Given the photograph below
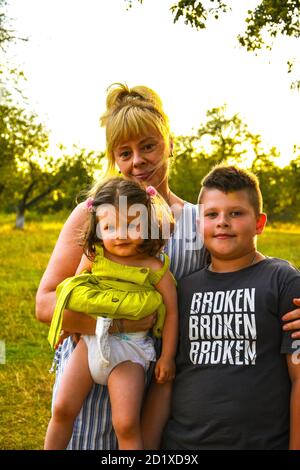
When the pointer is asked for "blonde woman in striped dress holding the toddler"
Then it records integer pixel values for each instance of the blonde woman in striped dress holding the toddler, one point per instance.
(139, 145)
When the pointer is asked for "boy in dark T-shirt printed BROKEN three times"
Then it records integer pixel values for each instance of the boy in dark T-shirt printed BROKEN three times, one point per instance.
(238, 381)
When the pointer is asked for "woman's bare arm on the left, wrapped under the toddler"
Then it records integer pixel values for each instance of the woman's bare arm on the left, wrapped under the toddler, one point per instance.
(63, 263)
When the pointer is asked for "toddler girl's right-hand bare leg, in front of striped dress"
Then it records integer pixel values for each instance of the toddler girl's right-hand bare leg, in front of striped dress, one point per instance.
(126, 385)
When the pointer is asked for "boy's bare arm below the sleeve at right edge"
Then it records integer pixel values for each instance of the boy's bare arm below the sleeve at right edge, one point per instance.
(294, 372)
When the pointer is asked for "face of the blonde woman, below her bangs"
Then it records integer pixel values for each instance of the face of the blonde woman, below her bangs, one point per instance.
(144, 160)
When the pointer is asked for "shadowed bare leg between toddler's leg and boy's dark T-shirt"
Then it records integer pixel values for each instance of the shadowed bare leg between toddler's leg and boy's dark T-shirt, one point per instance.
(156, 411)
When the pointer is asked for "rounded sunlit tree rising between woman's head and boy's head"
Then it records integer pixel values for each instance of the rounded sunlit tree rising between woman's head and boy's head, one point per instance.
(221, 138)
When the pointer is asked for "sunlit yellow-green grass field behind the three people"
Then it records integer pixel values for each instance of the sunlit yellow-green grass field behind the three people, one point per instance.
(25, 383)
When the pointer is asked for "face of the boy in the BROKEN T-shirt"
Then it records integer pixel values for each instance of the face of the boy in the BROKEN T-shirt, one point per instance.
(230, 224)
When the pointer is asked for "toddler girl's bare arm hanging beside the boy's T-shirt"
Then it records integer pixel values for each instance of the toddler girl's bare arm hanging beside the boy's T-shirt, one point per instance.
(166, 287)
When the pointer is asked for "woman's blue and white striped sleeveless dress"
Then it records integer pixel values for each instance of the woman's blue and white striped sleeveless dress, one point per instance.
(93, 426)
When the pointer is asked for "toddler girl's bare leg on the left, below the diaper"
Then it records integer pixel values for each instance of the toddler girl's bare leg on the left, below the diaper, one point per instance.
(75, 384)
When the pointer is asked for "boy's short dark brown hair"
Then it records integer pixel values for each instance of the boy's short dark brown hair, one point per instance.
(230, 179)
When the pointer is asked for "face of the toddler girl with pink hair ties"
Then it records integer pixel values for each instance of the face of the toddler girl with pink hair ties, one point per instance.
(120, 233)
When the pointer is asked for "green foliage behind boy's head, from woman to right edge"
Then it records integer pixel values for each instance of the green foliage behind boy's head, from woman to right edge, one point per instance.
(228, 140)
